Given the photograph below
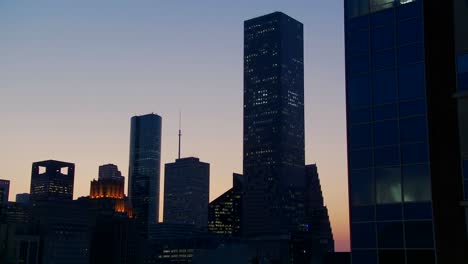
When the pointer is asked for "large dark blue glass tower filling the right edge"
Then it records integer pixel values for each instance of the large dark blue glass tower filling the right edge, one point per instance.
(404, 162)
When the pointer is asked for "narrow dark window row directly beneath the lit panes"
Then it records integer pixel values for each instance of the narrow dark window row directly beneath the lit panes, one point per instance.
(392, 212)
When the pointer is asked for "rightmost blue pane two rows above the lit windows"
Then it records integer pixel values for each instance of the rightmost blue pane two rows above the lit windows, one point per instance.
(413, 130)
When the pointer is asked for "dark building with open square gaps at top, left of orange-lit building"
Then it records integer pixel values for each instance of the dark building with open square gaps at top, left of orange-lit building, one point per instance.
(52, 180)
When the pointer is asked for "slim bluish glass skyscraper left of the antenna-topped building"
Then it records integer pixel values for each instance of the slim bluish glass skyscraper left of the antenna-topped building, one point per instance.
(144, 169)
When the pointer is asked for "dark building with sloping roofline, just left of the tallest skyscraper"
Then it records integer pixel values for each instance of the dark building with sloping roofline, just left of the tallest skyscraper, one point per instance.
(225, 212)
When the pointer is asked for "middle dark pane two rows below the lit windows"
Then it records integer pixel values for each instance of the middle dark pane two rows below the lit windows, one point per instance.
(390, 235)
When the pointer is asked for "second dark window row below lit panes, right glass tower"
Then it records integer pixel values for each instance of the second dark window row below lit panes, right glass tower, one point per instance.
(393, 235)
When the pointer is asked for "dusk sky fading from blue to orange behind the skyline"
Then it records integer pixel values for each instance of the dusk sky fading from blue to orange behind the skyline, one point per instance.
(73, 73)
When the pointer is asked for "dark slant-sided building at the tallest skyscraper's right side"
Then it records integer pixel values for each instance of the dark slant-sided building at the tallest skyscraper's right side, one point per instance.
(316, 212)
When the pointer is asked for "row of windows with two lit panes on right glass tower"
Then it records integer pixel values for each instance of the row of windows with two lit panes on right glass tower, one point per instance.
(409, 183)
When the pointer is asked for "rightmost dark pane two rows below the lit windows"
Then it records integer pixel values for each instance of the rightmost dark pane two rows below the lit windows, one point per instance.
(419, 234)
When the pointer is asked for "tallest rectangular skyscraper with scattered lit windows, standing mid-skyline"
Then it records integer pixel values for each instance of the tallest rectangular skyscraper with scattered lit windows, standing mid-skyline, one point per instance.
(273, 124)
